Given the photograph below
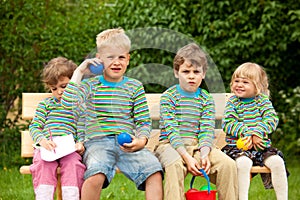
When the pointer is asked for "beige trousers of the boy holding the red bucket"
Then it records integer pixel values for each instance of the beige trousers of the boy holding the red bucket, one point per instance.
(223, 172)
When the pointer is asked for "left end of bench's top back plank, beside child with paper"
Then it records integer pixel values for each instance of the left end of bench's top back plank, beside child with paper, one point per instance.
(30, 102)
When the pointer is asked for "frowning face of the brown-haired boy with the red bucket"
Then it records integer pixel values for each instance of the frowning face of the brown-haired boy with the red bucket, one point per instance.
(190, 77)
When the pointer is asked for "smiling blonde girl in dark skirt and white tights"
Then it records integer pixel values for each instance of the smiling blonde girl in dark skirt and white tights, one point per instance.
(250, 115)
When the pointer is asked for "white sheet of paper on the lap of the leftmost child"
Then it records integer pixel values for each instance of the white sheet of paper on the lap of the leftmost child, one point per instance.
(65, 145)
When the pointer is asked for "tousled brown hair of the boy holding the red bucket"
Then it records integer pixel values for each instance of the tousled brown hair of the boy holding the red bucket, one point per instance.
(193, 54)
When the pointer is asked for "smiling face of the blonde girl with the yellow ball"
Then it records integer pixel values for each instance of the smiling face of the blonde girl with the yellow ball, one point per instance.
(243, 88)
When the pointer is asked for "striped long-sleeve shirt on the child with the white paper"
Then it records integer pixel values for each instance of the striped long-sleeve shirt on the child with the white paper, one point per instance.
(50, 116)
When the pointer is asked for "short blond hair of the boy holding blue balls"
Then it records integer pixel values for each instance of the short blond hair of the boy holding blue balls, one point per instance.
(113, 37)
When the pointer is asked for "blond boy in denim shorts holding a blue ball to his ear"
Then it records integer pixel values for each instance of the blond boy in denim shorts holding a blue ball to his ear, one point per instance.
(114, 104)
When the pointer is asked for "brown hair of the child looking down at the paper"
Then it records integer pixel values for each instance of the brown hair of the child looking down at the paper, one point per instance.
(57, 68)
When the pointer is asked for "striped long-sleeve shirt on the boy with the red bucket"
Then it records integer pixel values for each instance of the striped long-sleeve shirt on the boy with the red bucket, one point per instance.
(187, 115)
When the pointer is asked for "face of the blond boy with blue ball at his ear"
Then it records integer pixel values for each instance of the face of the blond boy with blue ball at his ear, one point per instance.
(115, 61)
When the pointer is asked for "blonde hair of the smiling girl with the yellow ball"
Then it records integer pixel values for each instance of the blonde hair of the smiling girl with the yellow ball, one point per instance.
(254, 73)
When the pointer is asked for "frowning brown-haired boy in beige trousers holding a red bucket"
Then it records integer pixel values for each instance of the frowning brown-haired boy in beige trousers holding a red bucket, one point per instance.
(187, 129)
